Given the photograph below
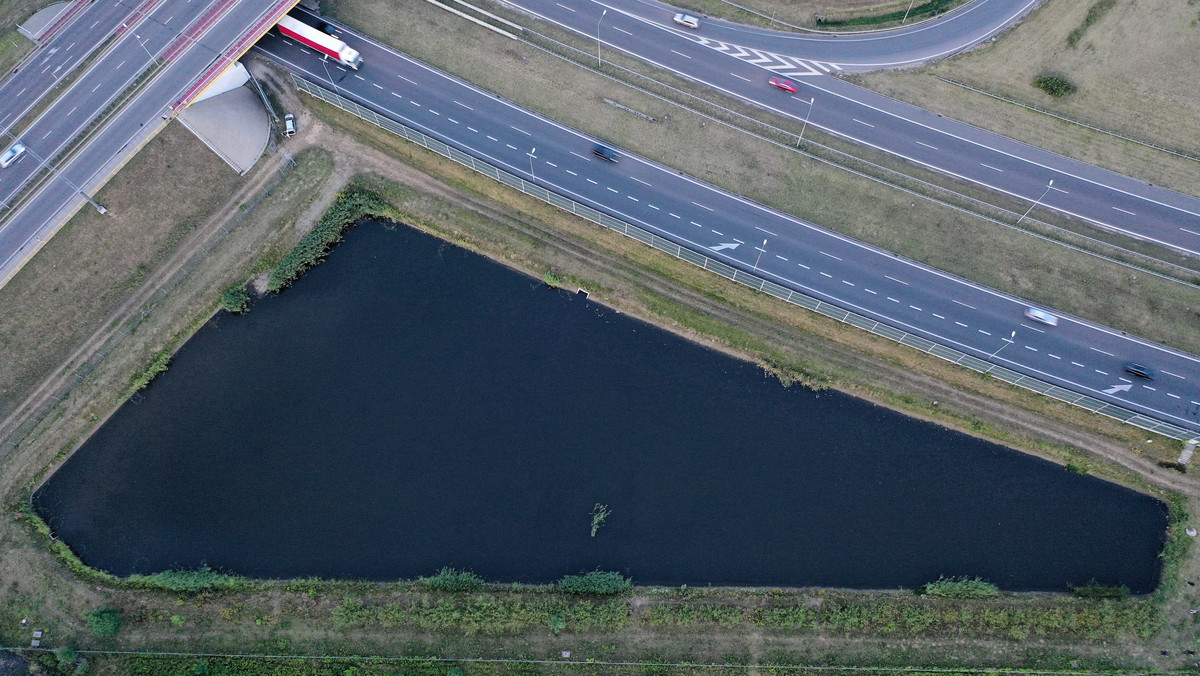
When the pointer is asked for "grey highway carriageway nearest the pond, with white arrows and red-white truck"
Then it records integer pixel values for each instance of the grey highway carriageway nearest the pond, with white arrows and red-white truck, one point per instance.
(956, 313)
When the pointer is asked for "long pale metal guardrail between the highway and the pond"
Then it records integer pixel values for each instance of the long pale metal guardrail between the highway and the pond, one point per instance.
(753, 282)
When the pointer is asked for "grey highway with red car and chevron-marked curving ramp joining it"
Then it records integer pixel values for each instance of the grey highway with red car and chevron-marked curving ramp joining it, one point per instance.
(1105, 199)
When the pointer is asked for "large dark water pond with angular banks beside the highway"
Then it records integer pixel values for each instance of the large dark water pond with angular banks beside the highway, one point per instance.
(410, 406)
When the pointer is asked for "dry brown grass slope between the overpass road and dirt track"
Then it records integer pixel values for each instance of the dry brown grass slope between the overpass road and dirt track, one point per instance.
(69, 290)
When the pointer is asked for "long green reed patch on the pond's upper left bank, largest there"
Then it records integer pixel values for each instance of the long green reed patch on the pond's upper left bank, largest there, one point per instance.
(352, 205)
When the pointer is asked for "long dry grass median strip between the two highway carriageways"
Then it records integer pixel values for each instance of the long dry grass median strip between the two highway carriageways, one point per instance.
(947, 240)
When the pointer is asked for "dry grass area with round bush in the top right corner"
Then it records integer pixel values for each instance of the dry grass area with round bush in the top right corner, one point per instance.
(1136, 69)
